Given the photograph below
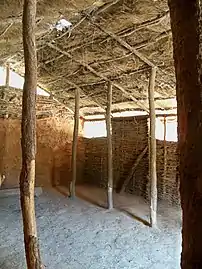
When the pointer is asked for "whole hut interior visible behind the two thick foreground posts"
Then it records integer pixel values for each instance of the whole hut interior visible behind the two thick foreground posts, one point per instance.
(106, 120)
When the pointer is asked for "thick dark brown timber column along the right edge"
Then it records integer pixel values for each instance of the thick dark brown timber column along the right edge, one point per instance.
(187, 43)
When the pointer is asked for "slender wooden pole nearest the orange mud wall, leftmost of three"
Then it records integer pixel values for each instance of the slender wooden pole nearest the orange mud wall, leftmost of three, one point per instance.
(75, 142)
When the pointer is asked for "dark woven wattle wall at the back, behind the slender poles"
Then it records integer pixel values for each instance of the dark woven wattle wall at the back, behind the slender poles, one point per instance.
(130, 137)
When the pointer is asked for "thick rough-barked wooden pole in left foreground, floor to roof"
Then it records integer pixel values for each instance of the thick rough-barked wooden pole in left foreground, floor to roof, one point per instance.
(28, 141)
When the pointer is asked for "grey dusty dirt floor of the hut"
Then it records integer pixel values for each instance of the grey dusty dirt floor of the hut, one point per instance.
(75, 234)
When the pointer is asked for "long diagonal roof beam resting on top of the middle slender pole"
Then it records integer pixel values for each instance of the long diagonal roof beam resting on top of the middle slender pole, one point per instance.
(92, 70)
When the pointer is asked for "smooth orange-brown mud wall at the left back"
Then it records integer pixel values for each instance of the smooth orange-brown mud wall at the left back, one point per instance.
(53, 159)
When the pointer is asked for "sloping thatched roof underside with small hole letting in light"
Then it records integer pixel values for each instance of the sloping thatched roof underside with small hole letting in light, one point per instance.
(110, 41)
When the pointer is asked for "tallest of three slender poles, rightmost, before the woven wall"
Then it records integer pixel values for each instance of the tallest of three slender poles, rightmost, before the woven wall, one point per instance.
(152, 148)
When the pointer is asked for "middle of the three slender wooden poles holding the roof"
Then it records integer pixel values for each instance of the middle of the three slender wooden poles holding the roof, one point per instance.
(109, 147)
